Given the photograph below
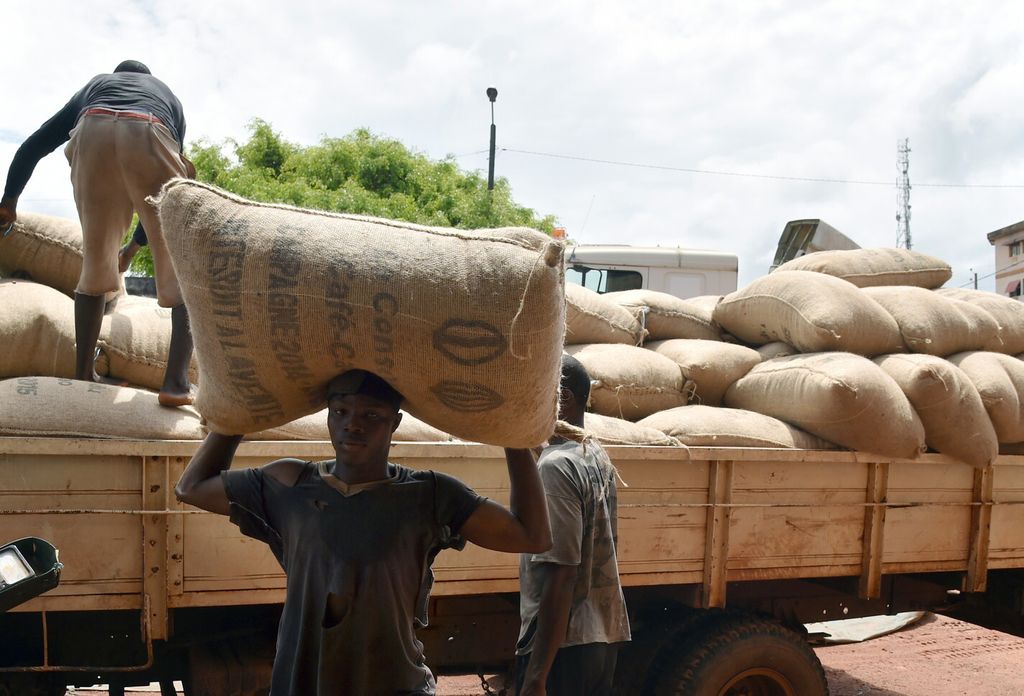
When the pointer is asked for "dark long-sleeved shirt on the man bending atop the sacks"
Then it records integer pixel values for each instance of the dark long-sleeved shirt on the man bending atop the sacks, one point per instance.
(120, 92)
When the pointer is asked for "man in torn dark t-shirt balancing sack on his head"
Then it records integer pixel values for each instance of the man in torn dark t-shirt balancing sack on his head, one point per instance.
(357, 537)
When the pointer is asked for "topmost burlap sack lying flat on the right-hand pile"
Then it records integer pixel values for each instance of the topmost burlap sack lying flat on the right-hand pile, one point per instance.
(867, 268)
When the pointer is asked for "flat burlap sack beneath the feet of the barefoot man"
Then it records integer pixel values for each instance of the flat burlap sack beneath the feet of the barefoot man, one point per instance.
(50, 407)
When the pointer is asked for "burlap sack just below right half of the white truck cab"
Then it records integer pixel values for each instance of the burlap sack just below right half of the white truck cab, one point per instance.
(666, 317)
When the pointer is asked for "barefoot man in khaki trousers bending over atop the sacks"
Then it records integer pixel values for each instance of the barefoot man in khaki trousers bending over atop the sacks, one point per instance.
(126, 133)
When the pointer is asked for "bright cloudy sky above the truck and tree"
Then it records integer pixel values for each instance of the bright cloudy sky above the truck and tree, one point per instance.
(761, 90)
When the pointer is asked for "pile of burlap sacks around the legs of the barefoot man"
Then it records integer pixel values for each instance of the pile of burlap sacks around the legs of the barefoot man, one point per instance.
(40, 263)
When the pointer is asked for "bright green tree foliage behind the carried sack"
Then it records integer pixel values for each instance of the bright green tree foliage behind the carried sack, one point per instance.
(360, 173)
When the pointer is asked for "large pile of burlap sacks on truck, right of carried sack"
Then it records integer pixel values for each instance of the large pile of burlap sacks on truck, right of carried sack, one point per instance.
(857, 350)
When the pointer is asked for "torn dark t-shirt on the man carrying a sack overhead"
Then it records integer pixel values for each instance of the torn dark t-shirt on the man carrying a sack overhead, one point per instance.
(368, 554)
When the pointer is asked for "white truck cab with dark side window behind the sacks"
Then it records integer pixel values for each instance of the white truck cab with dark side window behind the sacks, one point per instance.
(684, 273)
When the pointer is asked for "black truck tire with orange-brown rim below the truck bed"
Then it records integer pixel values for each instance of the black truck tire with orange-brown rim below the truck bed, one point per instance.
(742, 657)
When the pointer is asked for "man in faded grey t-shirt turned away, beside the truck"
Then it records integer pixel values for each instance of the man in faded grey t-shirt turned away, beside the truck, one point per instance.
(572, 604)
